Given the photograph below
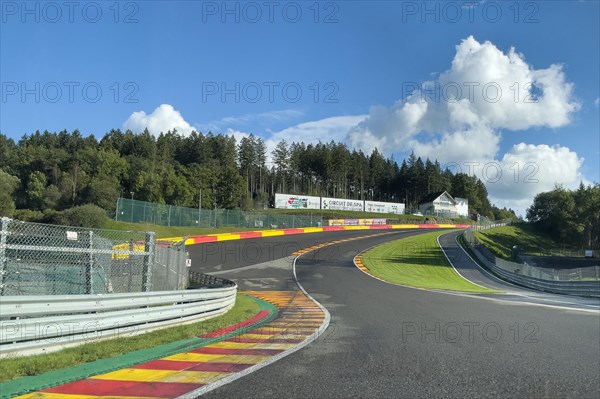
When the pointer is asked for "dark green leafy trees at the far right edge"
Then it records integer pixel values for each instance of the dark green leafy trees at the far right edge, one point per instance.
(569, 216)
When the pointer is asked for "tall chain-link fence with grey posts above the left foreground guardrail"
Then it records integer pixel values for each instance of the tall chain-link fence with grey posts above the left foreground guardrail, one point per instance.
(40, 259)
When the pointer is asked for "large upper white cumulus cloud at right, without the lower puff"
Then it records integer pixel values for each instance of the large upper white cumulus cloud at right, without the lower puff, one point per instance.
(484, 91)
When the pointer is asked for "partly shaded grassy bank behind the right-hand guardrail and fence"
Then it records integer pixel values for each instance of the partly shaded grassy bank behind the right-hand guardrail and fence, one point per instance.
(530, 241)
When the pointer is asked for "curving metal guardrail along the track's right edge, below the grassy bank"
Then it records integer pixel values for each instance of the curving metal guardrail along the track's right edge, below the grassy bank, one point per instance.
(527, 275)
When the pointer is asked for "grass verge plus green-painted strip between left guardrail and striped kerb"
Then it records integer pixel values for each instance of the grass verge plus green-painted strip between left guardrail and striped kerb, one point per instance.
(33, 373)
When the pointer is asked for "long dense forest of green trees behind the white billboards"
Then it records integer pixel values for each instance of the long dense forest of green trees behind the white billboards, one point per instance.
(47, 171)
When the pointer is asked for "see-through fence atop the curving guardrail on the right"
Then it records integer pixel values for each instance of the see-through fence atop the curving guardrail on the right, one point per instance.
(524, 269)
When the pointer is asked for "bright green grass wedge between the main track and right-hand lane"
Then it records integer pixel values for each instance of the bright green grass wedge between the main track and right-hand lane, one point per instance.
(417, 262)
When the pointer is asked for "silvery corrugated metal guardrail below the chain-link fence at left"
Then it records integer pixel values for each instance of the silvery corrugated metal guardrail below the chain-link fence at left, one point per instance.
(41, 324)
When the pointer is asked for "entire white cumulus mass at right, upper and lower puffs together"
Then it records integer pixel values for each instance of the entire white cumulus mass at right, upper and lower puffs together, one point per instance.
(462, 116)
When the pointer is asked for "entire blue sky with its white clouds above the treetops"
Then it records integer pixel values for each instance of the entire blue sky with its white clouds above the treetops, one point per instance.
(357, 64)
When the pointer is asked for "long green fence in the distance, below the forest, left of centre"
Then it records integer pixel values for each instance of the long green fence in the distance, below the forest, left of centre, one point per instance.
(135, 211)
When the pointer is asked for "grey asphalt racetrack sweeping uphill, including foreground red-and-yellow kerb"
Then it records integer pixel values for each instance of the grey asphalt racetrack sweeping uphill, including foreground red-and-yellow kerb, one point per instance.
(343, 330)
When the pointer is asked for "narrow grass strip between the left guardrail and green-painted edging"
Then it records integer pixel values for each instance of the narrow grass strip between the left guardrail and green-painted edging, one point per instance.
(12, 368)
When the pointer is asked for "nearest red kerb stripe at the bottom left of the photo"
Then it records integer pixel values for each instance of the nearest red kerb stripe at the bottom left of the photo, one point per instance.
(124, 388)
